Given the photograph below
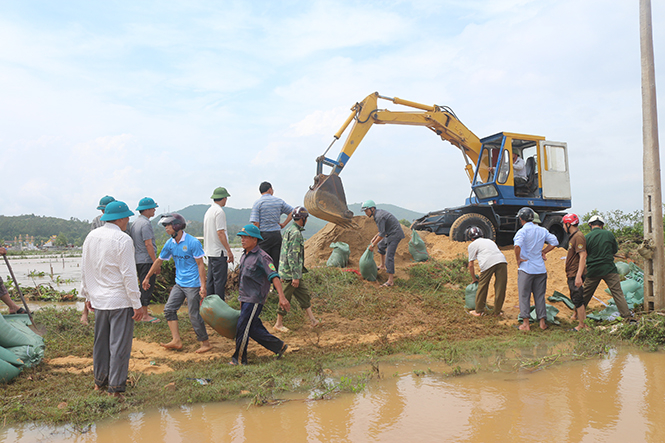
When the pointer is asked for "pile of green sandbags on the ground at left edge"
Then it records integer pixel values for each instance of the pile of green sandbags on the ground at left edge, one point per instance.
(20, 347)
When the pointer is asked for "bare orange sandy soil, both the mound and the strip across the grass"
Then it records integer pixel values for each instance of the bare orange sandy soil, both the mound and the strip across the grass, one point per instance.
(337, 332)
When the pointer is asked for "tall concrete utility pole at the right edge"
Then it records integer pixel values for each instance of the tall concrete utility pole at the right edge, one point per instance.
(654, 272)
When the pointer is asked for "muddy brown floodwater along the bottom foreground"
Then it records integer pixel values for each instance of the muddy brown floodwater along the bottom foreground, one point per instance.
(614, 399)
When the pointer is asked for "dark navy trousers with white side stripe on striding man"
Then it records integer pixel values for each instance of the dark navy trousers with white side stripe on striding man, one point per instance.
(251, 326)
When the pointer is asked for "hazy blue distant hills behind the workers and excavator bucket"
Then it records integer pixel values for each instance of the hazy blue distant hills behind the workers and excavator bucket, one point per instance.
(237, 218)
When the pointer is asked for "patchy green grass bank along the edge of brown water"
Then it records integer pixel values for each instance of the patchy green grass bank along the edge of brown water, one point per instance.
(434, 292)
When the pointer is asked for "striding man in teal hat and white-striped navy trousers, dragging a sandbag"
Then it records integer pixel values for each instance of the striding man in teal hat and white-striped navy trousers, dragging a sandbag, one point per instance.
(256, 273)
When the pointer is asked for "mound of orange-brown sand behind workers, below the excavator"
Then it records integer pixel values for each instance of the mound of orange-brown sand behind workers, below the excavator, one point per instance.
(439, 247)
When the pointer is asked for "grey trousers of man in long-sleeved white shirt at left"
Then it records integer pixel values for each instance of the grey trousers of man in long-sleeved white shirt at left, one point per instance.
(112, 348)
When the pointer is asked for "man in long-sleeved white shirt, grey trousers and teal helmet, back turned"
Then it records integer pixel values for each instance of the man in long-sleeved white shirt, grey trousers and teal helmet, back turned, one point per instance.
(110, 287)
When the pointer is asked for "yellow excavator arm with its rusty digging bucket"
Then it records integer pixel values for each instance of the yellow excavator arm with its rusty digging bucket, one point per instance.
(326, 199)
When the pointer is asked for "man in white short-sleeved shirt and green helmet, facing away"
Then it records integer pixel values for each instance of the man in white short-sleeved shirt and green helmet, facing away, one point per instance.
(216, 243)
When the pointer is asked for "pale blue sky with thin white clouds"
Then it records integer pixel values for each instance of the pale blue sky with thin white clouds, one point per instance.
(173, 99)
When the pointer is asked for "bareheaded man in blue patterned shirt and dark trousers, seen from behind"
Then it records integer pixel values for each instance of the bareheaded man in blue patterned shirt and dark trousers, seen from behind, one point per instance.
(265, 215)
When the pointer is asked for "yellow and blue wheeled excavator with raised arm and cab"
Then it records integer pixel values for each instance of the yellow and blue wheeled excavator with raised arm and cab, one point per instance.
(507, 171)
